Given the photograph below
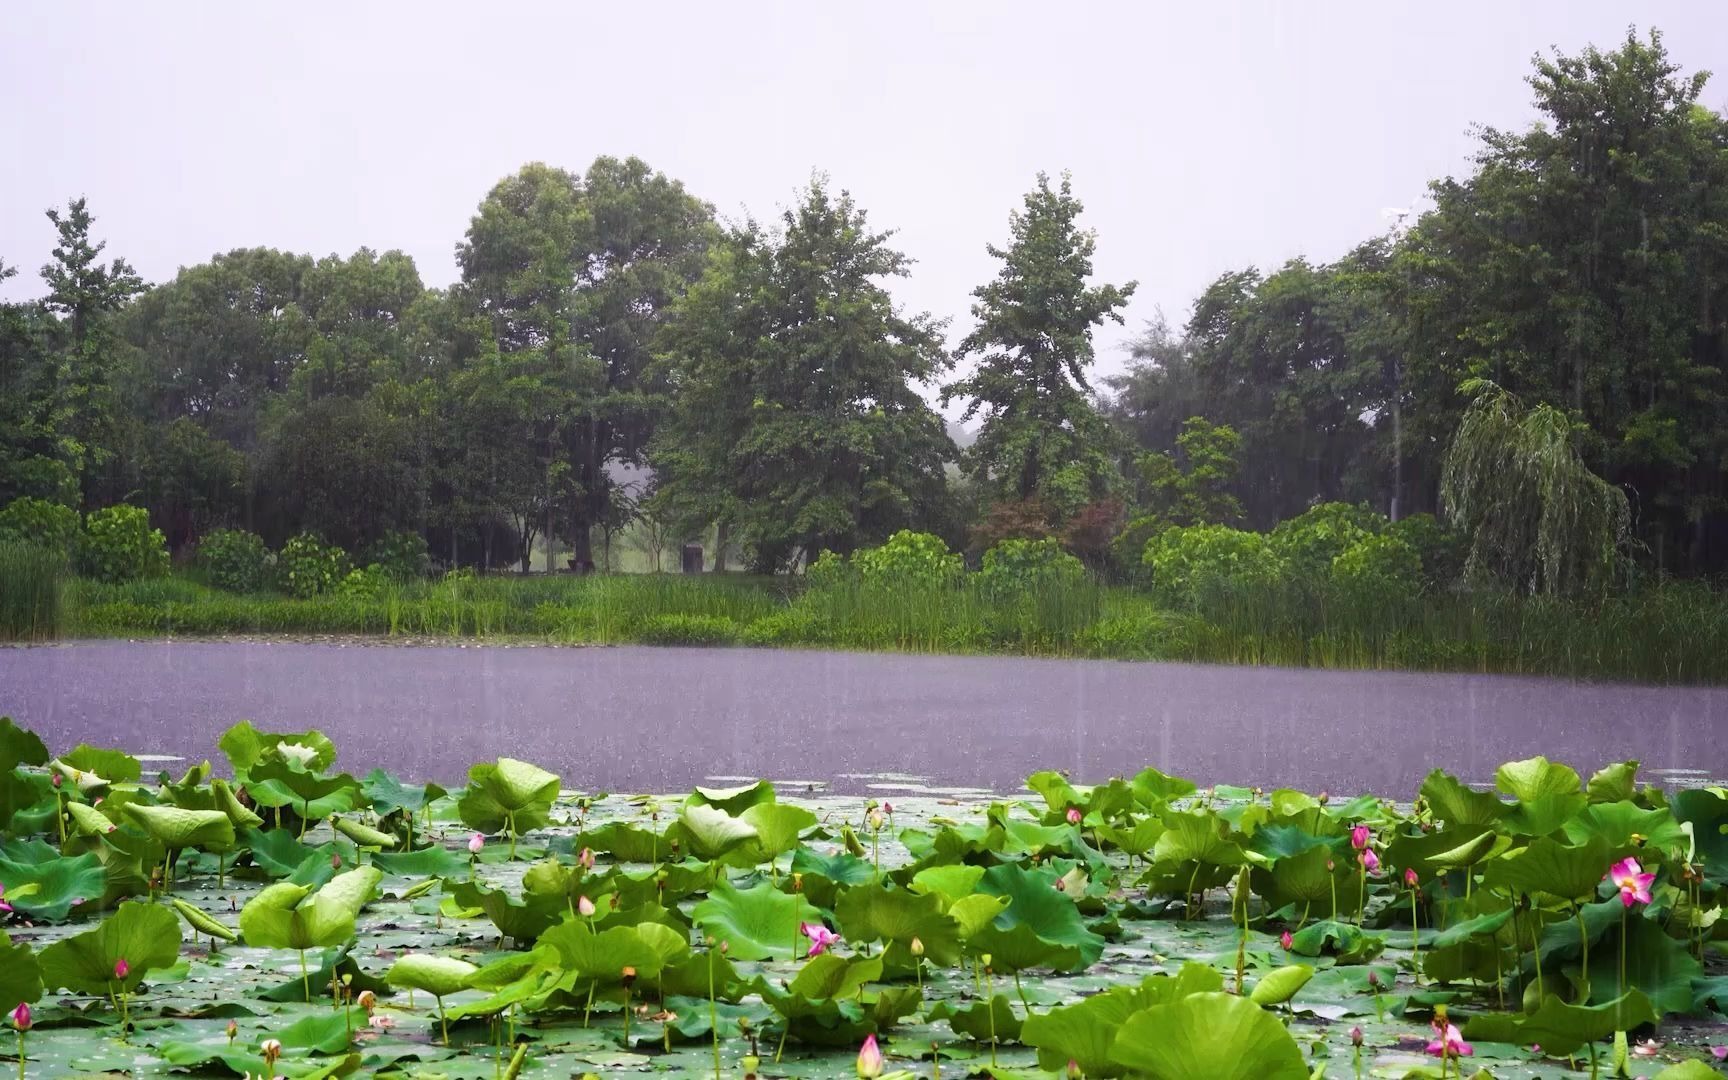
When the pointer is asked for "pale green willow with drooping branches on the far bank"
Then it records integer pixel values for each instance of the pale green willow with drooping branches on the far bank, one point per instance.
(1535, 514)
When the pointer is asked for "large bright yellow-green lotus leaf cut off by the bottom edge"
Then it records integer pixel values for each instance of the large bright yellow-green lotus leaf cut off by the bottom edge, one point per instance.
(1214, 1036)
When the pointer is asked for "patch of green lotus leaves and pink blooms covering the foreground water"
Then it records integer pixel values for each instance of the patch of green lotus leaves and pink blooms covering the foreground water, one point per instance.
(295, 920)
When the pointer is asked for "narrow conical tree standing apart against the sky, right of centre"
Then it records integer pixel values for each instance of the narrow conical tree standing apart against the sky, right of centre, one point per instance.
(1041, 436)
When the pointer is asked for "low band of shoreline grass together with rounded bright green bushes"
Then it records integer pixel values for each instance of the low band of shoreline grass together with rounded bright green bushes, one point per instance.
(1340, 588)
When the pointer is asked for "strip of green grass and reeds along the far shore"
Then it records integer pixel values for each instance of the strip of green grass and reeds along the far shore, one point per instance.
(1661, 635)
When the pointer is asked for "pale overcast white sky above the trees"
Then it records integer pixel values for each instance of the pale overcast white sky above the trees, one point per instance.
(1202, 137)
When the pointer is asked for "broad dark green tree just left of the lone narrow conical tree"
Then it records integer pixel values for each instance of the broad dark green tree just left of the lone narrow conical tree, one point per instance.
(794, 379)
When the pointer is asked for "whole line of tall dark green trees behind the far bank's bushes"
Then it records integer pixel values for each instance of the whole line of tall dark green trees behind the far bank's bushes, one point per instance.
(768, 383)
